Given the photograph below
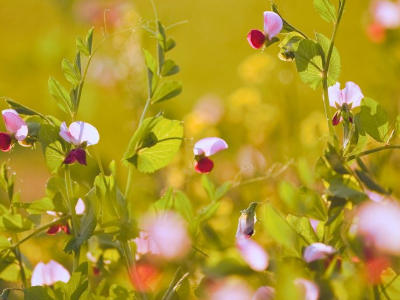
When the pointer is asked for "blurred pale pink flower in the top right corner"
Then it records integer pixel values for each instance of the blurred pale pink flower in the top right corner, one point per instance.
(386, 13)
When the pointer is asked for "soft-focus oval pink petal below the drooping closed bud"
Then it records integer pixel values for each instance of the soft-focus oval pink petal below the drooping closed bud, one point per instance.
(253, 254)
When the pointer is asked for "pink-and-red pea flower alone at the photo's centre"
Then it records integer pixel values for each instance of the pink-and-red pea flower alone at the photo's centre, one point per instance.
(205, 148)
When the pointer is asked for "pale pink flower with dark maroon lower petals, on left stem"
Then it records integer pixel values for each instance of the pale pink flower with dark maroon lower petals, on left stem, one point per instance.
(81, 135)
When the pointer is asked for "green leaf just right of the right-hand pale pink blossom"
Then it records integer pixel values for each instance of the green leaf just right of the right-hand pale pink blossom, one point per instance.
(374, 120)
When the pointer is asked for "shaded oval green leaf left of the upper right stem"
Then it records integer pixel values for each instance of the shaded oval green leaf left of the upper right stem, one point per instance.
(309, 63)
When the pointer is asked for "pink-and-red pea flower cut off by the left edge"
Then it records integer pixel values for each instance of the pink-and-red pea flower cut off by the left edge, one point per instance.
(17, 130)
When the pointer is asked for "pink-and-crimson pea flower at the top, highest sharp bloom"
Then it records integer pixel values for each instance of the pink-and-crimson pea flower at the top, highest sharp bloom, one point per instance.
(273, 24)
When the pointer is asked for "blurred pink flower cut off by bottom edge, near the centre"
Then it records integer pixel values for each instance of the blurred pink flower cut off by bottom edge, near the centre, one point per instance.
(231, 290)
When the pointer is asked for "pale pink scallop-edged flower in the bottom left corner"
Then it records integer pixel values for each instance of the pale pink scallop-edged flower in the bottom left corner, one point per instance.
(48, 274)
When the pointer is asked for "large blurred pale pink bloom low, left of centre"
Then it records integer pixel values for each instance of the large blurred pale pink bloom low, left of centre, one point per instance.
(168, 233)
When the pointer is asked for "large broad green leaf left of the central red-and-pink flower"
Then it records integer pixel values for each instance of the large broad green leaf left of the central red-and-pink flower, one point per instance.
(154, 144)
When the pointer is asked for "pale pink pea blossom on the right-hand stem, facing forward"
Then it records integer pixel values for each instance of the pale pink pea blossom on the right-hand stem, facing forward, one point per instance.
(344, 100)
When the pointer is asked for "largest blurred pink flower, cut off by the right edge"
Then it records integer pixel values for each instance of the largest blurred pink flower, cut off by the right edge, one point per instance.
(378, 224)
